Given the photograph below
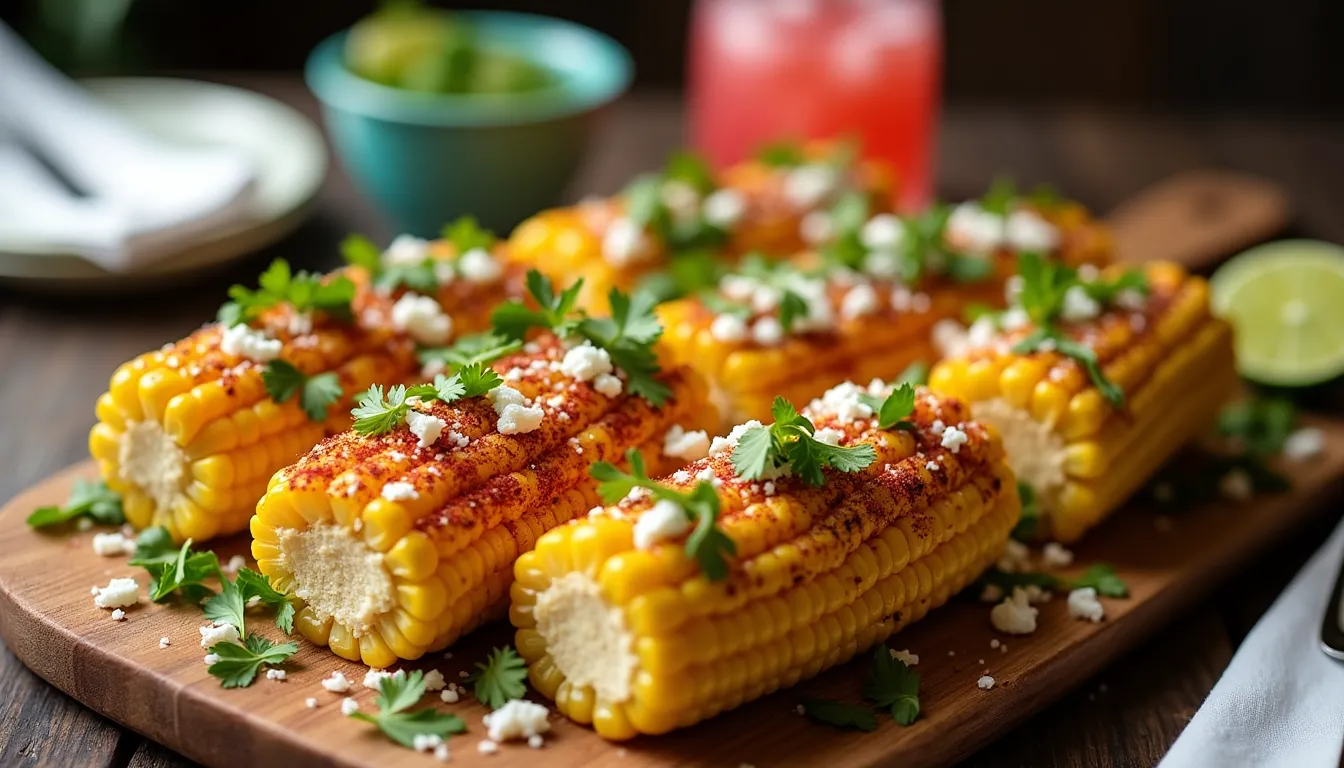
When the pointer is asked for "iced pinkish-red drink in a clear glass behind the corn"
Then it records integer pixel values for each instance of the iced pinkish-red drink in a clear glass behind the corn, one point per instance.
(767, 71)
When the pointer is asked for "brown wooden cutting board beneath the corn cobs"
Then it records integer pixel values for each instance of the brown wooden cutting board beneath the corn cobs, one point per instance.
(116, 668)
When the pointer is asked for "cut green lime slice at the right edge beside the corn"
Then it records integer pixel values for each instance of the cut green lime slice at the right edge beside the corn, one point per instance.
(1287, 303)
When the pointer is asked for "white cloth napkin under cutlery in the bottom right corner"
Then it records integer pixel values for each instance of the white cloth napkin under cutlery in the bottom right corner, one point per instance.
(1282, 701)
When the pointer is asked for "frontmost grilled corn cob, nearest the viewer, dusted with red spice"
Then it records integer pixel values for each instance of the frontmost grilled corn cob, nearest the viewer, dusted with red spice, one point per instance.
(635, 640)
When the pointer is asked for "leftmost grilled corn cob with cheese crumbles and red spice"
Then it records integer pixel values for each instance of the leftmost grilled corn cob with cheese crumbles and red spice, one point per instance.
(189, 435)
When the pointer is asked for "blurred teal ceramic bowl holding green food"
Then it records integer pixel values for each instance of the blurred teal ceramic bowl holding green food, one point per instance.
(427, 159)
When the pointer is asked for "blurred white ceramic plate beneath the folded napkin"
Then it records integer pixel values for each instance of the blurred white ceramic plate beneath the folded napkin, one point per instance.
(287, 147)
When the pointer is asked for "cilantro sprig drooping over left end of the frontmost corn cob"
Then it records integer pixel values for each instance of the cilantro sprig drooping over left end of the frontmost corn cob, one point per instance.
(708, 544)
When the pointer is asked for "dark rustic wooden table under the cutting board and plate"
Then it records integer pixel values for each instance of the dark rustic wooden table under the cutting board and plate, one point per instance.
(57, 353)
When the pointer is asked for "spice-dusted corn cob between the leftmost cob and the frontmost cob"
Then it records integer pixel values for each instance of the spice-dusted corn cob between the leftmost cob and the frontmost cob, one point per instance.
(397, 551)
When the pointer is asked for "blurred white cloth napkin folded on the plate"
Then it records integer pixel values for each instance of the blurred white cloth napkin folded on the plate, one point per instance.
(146, 200)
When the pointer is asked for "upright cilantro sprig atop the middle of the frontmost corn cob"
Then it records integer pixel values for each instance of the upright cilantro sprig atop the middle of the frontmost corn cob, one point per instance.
(790, 442)
